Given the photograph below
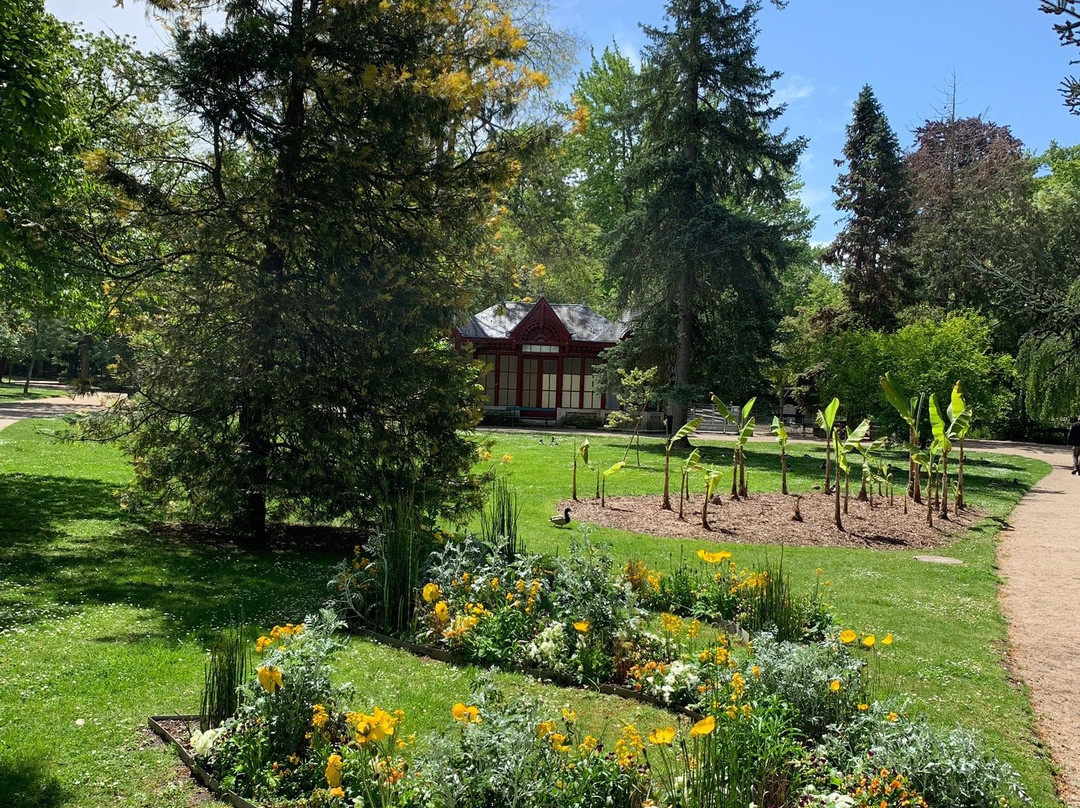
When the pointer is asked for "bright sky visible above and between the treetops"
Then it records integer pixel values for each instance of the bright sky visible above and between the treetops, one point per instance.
(1004, 53)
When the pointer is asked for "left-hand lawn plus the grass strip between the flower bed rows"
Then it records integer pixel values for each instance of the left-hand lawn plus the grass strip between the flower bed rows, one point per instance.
(104, 621)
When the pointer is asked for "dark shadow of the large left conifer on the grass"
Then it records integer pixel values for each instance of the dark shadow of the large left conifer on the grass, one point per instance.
(194, 578)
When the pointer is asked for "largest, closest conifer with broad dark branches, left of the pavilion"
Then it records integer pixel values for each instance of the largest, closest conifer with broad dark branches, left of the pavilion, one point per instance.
(341, 173)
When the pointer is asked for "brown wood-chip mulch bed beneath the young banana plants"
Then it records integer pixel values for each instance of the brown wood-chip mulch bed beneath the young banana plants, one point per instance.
(767, 519)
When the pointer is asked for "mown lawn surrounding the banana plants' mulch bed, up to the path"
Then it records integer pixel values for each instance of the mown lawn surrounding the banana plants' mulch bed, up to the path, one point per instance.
(951, 636)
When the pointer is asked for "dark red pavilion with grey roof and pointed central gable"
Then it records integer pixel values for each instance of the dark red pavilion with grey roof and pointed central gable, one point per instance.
(542, 359)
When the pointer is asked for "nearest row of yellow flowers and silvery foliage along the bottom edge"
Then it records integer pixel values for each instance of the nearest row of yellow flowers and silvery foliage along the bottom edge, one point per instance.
(782, 724)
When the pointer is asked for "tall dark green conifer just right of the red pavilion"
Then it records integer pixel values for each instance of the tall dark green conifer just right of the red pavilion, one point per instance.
(697, 260)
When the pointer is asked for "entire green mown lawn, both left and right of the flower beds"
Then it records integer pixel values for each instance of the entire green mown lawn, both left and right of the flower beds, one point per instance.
(104, 618)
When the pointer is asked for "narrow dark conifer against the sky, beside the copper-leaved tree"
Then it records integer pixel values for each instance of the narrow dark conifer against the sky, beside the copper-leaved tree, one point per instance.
(876, 193)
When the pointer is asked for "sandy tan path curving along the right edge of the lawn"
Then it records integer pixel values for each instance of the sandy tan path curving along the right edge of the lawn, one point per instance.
(1039, 560)
